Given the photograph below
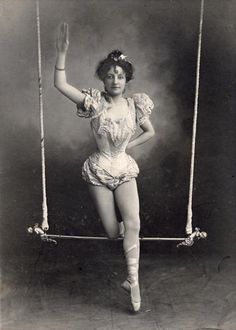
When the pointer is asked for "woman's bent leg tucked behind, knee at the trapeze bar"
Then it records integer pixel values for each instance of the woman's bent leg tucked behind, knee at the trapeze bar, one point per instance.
(105, 204)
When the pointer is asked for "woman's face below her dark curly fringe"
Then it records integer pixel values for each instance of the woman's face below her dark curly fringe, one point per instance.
(115, 81)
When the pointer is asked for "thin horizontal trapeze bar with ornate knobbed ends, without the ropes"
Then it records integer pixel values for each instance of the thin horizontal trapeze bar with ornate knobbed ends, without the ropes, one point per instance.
(51, 238)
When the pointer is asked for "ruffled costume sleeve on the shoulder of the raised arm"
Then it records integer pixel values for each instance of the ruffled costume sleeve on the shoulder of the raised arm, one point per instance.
(91, 103)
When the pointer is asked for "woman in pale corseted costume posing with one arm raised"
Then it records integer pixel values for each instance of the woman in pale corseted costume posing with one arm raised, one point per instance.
(110, 172)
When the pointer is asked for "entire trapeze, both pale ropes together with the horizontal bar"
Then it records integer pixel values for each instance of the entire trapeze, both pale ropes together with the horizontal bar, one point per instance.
(184, 241)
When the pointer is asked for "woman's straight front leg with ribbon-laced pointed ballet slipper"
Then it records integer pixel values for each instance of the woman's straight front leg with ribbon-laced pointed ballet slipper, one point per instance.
(127, 200)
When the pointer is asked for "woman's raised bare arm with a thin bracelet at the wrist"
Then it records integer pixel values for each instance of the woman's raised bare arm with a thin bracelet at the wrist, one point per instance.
(60, 81)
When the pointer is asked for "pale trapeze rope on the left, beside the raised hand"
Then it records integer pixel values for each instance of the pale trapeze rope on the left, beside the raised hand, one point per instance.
(44, 201)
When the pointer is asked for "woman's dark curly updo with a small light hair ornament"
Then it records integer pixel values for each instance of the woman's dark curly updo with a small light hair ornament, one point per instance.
(116, 57)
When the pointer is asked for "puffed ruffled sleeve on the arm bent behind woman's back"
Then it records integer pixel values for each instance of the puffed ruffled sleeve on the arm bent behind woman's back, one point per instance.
(144, 107)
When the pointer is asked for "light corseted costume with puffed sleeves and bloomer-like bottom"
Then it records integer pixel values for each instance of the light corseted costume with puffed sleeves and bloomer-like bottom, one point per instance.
(110, 165)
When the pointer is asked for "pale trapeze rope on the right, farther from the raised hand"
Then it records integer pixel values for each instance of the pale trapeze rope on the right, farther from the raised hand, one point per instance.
(188, 227)
